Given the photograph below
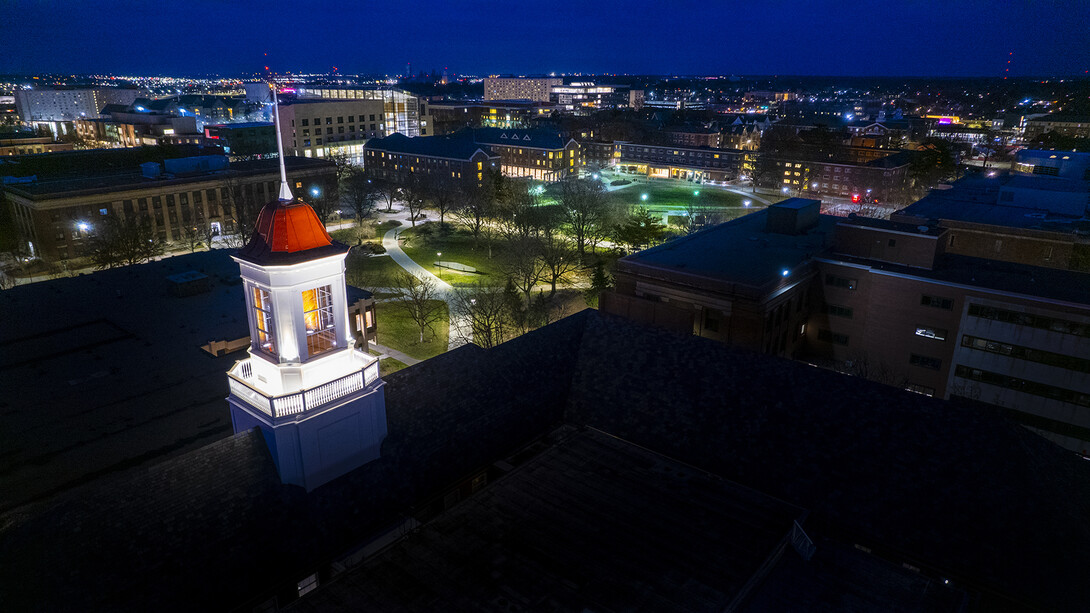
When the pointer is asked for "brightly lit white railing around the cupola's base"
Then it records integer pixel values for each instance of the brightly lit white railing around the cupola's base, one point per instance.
(300, 402)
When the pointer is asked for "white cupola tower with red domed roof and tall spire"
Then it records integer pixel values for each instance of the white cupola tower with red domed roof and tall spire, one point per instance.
(317, 399)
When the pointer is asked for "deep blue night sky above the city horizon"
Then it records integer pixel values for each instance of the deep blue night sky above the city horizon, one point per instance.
(853, 38)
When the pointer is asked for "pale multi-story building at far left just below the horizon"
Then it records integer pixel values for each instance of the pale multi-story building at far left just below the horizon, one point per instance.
(50, 106)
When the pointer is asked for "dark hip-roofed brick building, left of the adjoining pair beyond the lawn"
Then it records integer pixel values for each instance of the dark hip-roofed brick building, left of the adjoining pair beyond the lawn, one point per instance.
(454, 159)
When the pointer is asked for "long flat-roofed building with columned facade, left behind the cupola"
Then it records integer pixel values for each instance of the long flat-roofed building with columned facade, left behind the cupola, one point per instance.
(56, 215)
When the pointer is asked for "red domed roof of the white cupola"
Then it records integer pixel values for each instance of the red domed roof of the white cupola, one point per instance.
(288, 233)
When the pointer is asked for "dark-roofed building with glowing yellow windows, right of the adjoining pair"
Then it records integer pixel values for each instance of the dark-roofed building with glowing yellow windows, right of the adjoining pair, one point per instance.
(538, 154)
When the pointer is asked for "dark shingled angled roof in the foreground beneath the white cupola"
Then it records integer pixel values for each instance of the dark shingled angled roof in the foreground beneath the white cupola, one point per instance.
(950, 490)
